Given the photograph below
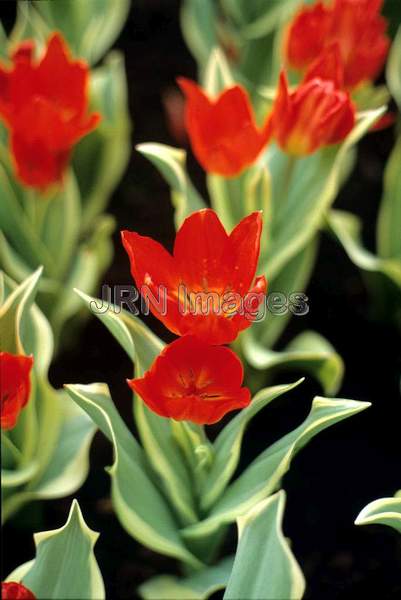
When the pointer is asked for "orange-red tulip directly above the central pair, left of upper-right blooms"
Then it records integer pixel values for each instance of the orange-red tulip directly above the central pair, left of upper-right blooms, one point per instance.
(223, 133)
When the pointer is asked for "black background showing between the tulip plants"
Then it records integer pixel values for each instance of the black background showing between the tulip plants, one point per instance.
(341, 470)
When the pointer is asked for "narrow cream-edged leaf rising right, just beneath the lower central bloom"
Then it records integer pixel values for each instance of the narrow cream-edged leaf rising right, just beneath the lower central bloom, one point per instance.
(227, 446)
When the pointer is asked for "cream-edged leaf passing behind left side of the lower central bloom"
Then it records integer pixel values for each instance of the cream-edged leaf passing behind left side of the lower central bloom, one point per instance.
(157, 434)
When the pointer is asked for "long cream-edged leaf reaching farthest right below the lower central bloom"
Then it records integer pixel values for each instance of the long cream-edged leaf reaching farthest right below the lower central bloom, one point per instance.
(264, 474)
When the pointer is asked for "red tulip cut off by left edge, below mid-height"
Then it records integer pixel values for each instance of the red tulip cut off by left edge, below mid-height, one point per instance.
(15, 386)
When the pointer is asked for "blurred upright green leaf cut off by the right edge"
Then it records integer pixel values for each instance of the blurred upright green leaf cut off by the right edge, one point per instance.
(389, 220)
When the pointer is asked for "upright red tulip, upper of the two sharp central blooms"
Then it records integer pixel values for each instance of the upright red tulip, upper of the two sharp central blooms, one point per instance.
(208, 283)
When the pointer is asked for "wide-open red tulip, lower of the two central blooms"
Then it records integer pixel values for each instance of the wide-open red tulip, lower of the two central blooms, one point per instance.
(193, 381)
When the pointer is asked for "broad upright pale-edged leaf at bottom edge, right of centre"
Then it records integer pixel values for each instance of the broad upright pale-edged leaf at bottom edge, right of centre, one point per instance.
(264, 565)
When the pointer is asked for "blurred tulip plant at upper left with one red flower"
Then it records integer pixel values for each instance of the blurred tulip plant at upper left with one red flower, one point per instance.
(64, 144)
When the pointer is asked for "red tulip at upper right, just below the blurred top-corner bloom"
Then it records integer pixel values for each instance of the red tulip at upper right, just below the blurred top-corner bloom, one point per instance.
(316, 114)
